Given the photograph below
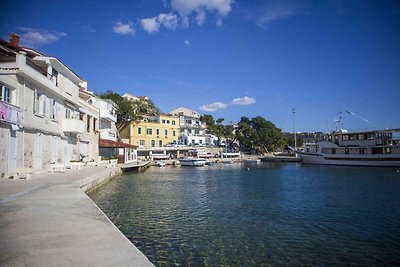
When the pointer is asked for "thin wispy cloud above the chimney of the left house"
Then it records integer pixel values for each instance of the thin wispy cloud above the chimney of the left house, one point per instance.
(36, 37)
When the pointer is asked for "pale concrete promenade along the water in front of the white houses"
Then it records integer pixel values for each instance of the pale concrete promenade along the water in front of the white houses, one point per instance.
(50, 221)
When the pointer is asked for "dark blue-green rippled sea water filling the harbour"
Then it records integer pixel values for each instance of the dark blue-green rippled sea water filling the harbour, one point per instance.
(259, 215)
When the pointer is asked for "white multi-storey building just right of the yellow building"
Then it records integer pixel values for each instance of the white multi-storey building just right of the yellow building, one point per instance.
(193, 131)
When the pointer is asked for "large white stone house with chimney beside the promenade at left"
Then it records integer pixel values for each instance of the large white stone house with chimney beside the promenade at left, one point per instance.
(40, 112)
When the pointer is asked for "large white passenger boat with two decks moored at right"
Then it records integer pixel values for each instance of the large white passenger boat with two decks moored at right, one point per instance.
(368, 148)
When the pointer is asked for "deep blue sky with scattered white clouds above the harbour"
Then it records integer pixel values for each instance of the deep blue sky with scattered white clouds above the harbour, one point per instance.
(230, 58)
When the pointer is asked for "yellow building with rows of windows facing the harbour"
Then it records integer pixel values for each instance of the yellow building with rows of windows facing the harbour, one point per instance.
(152, 131)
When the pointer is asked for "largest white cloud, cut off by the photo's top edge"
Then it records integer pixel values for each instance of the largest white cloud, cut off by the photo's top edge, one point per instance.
(185, 8)
